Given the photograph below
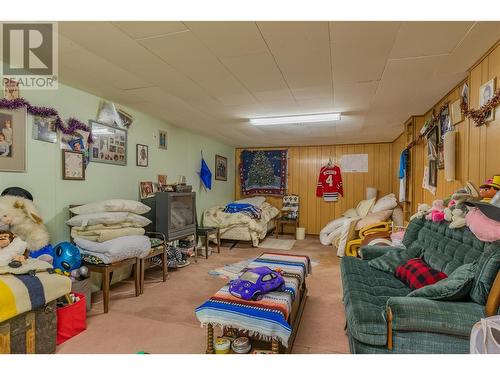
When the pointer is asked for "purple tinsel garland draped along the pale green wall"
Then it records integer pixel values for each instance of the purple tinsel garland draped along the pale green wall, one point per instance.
(73, 123)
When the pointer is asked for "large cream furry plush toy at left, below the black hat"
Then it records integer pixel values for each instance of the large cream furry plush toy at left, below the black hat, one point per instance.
(21, 217)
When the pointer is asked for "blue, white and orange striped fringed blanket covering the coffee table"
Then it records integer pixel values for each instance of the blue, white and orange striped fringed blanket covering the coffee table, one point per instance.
(268, 318)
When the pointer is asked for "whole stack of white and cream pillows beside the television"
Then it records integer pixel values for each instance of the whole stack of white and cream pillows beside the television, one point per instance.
(111, 230)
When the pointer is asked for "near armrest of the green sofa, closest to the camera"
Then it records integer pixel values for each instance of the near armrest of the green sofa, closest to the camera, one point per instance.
(421, 314)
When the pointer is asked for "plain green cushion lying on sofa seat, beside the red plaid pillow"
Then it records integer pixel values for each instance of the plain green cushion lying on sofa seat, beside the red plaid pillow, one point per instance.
(455, 287)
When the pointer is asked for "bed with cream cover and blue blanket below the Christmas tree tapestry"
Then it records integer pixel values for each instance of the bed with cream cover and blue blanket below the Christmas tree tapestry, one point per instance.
(248, 219)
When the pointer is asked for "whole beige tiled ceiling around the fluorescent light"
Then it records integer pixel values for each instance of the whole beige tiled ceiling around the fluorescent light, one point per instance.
(212, 77)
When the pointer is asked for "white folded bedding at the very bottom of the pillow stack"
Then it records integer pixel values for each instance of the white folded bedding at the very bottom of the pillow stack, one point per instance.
(116, 249)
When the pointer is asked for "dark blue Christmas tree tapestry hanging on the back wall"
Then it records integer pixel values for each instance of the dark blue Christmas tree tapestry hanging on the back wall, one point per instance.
(263, 172)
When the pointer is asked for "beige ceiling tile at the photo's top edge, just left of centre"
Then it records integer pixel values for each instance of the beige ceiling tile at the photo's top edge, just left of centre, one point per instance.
(229, 39)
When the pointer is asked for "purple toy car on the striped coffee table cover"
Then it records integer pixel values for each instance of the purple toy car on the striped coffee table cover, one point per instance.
(254, 282)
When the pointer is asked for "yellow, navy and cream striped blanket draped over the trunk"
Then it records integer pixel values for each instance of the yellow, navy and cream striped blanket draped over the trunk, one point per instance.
(21, 293)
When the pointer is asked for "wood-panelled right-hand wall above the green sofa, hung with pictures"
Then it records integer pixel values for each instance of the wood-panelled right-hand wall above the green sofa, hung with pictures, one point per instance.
(477, 156)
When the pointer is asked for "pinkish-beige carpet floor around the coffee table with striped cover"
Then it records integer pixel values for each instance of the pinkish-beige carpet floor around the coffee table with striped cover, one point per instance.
(162, 319)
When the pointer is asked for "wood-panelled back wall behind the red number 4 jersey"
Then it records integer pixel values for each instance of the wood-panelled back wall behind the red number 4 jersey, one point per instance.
(303, 168)
